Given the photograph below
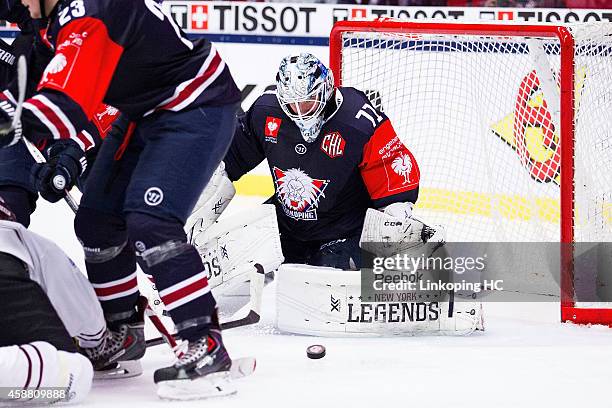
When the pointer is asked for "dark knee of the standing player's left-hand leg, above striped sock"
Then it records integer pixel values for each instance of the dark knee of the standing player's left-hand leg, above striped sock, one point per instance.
(102, 236)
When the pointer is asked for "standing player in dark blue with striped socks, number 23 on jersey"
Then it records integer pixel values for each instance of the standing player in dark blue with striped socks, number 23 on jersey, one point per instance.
(181, 103)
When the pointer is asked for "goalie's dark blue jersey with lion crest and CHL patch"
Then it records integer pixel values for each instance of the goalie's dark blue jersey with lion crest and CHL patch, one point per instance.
(323, 189)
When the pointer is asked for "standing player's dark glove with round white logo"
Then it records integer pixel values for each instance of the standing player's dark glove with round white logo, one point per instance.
(59, 174)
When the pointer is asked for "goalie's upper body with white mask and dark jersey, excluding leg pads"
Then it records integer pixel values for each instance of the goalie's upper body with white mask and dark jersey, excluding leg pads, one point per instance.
(332, 156)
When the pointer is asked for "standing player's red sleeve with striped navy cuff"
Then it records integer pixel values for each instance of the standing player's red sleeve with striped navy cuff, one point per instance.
(74, 83)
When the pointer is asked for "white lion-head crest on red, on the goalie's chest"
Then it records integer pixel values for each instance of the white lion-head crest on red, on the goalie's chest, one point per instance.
(298, 193)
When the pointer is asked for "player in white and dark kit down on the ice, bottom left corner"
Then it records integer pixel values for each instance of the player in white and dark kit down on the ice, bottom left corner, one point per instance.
(45, 302)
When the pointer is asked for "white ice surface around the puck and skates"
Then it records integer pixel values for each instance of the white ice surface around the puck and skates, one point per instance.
(526, 358)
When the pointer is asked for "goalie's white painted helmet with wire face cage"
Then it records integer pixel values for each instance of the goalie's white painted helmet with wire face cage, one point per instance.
(303, 87)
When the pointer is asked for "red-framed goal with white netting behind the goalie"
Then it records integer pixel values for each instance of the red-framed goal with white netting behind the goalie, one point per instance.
(511, 126)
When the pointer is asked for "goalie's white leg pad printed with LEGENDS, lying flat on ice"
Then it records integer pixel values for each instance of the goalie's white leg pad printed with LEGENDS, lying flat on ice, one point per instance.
(327, 302)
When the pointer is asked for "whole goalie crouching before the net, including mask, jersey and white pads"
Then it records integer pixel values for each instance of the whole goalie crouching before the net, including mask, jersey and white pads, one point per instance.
(341, 177)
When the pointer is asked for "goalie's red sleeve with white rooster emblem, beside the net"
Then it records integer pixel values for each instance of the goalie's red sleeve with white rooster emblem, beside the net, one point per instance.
(389, 170)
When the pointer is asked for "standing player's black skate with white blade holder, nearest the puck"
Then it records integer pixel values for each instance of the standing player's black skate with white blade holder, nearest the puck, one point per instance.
(202, 372)
